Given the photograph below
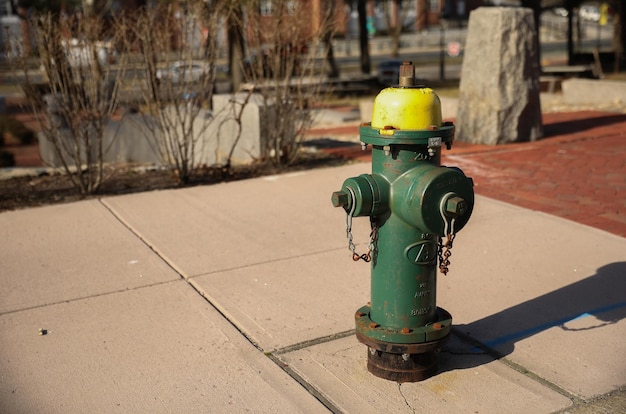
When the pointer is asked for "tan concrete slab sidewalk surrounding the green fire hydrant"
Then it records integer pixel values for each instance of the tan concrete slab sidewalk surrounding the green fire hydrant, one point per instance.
(241, 297)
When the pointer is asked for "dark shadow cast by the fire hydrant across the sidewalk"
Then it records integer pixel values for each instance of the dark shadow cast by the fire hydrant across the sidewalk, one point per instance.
(600, 296)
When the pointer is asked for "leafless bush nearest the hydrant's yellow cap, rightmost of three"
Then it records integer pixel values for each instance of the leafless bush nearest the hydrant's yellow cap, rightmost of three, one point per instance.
(283, 46)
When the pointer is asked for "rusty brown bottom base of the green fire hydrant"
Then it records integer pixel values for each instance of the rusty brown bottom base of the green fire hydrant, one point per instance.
(408, 362)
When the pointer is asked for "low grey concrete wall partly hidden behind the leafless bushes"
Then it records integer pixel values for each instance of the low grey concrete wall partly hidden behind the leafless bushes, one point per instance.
(132, 141)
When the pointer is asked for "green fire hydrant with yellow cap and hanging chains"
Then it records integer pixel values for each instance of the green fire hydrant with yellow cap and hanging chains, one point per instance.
(416, 207)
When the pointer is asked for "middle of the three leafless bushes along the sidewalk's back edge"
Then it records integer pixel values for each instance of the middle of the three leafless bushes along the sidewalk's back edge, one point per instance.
(176, 78)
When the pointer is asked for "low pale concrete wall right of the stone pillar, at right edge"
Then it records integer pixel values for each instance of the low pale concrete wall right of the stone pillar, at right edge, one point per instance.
(592, 91)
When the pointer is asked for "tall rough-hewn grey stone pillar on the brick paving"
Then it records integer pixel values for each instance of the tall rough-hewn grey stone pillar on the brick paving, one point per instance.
(499, 90)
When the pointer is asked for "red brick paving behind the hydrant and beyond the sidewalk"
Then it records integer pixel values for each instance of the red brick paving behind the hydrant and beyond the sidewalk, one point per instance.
(577, 171)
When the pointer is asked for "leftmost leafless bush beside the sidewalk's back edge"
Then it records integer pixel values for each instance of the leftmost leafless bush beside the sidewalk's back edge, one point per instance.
(81, 92)
